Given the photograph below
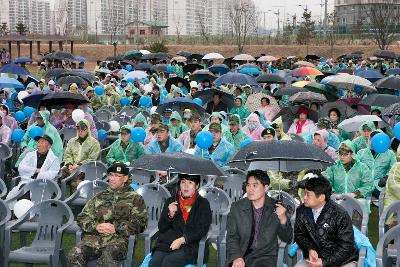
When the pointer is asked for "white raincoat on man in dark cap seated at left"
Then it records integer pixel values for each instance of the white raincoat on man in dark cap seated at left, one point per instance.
(49, 170)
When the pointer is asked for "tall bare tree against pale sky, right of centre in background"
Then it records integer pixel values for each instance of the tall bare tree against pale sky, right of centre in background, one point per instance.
(243, 15)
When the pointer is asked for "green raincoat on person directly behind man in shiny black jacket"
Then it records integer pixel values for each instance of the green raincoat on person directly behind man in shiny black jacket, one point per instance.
(358, 178)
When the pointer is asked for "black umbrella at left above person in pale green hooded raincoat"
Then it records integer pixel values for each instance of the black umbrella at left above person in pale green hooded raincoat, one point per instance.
(60, 99)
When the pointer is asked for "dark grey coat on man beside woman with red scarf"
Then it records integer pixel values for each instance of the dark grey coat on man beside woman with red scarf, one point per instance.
(239, 228)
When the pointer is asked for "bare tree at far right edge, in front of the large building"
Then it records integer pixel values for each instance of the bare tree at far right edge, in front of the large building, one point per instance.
(384, 21)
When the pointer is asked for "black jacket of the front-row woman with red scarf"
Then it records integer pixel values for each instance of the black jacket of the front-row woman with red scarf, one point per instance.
(194, 230)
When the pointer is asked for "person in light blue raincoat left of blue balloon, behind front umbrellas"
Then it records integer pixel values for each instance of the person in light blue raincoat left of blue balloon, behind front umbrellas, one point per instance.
(221, 151)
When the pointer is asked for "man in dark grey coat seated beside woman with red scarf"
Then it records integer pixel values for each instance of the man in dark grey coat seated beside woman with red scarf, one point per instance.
(254, 225)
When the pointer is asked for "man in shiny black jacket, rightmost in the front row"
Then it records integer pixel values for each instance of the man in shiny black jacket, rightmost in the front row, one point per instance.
(323, 230)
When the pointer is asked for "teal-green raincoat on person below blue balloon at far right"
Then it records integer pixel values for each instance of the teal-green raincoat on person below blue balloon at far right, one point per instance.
(380, 165)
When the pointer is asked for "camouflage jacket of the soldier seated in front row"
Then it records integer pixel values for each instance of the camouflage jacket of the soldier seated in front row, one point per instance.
(122, 207)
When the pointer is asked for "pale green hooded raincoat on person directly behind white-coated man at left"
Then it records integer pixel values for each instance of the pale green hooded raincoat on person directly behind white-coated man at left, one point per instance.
(29, 144)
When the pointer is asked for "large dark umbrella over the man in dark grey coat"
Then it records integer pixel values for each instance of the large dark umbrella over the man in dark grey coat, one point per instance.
(284, 156)
